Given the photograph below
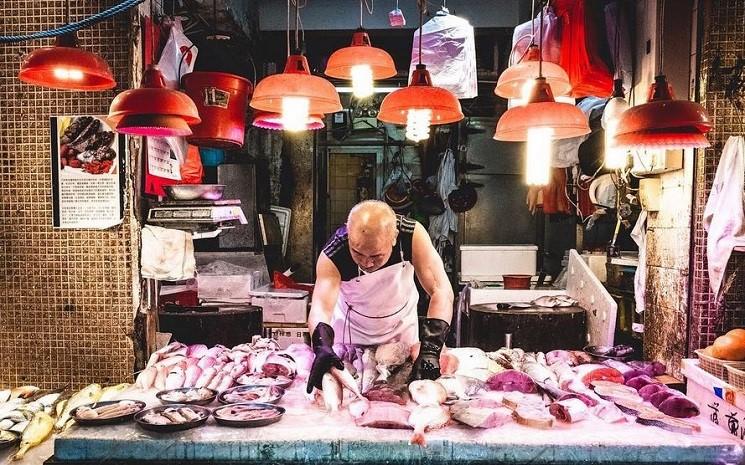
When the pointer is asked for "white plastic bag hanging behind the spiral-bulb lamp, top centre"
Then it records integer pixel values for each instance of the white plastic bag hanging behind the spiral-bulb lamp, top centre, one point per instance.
(449, 51)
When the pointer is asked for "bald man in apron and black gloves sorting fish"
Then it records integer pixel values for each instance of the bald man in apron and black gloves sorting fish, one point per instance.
(365, 293)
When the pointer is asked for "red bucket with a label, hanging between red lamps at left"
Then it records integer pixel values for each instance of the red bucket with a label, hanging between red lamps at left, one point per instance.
(221, 99)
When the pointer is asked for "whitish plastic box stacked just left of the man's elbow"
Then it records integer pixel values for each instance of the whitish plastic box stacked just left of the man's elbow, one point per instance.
(281, 305)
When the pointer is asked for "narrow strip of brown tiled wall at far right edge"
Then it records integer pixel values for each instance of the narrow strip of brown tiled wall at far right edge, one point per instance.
(723, 44)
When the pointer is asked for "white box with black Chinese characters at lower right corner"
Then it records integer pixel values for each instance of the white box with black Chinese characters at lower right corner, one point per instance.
(720, 403)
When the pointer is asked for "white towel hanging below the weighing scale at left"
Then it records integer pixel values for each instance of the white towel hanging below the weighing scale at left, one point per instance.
(167, 254)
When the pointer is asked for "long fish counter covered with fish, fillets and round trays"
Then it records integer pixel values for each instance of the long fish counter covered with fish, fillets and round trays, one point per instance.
(248, 404)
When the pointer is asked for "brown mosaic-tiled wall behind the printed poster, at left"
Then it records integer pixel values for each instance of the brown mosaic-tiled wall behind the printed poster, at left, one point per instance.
(66, 296)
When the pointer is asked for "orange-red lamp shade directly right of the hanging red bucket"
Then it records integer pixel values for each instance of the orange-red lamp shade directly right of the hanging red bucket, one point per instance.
(296, 81)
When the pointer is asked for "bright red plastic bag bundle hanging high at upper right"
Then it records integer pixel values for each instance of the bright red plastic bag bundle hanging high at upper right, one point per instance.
(580, 55)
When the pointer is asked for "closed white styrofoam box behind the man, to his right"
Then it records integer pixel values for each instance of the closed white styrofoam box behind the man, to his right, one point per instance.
(491, 262)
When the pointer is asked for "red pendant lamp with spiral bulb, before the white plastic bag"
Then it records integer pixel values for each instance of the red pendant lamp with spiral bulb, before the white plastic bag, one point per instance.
(421, 104)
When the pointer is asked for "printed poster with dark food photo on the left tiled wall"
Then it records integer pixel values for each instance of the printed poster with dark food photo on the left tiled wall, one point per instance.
(87, 173)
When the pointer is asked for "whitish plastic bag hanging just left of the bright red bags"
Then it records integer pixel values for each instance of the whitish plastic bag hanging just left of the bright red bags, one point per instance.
(551, 43)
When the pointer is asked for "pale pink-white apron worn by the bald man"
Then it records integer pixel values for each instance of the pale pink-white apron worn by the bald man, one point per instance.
(378, 307)
